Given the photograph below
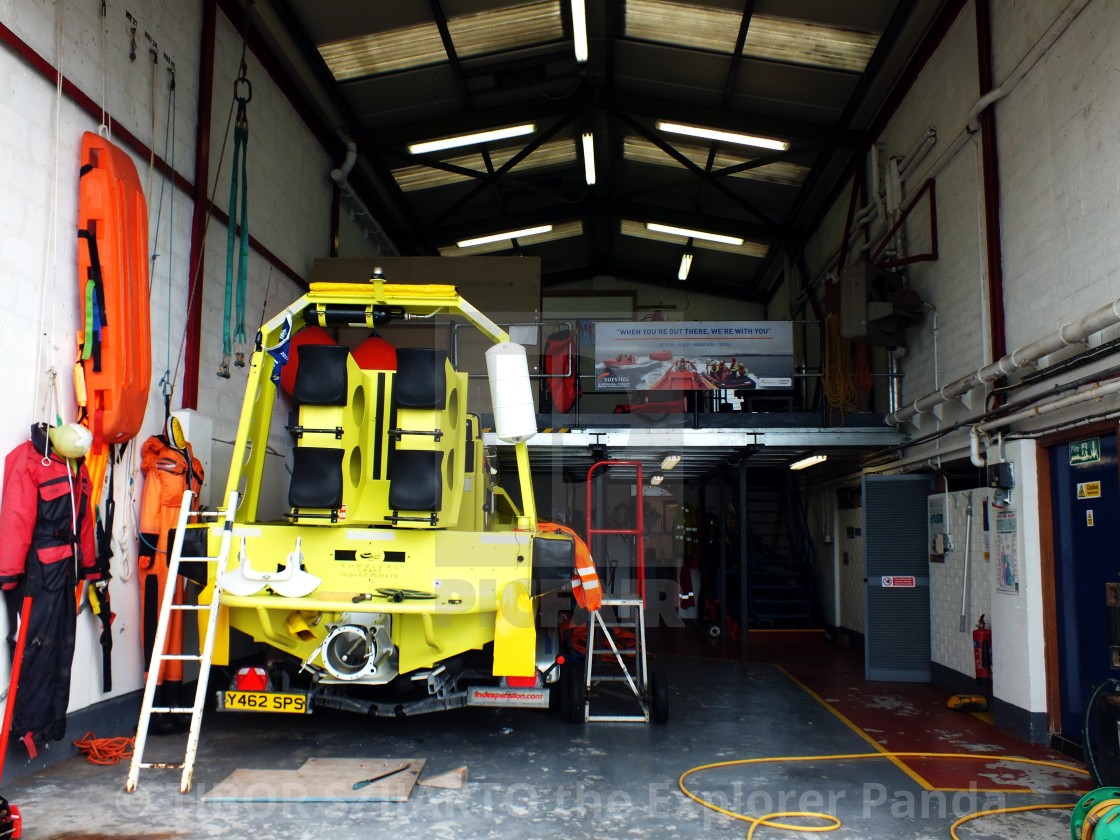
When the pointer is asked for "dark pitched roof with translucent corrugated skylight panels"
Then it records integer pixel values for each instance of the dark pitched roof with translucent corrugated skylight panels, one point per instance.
(409, 71)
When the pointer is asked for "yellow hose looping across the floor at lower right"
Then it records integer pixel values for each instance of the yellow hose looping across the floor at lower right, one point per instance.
(833, 823)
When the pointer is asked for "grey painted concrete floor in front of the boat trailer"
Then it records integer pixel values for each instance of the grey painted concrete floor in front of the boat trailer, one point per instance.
(533, 776)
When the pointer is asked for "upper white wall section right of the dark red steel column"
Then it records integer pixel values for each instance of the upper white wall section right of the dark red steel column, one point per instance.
(1060, 170)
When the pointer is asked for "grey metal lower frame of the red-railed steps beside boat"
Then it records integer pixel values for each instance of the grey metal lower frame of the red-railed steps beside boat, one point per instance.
(609, 664)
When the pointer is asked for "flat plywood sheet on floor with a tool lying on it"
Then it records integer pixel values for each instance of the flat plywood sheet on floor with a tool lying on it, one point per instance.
(321, 780)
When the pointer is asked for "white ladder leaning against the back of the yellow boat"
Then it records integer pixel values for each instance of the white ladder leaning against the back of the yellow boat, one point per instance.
(158, 658)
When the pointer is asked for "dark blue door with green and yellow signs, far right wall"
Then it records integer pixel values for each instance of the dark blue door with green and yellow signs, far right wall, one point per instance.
(1087, 555)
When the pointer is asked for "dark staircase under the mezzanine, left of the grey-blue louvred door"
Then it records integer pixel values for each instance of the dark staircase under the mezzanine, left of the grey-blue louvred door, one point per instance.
(780, 554)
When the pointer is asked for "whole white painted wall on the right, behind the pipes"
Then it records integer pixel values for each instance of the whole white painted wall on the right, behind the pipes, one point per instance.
(1060, 176)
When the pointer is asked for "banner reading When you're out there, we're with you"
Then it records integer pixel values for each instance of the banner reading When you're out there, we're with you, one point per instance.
(694, 356)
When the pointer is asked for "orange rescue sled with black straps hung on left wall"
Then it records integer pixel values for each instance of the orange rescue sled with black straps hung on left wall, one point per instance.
(113, 262)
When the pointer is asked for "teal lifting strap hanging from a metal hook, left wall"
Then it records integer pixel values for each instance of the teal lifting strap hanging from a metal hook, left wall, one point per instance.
(240, 170)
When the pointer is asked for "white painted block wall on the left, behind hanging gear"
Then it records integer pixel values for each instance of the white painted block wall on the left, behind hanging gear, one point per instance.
(290, 213)
